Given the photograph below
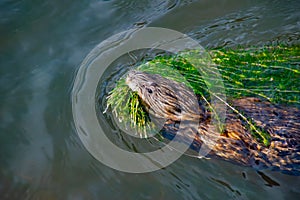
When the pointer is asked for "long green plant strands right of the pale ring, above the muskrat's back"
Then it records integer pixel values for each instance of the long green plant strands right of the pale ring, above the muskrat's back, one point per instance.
(270, 72)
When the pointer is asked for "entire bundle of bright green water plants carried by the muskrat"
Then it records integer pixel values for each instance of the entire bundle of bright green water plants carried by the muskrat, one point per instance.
(270, 73)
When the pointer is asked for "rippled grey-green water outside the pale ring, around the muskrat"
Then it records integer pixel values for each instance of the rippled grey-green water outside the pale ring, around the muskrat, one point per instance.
(42, 45)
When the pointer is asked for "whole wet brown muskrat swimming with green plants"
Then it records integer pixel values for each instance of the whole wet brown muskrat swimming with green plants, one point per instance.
(235, 143)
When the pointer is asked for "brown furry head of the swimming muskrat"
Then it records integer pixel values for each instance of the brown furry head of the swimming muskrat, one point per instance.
(164, 98)
